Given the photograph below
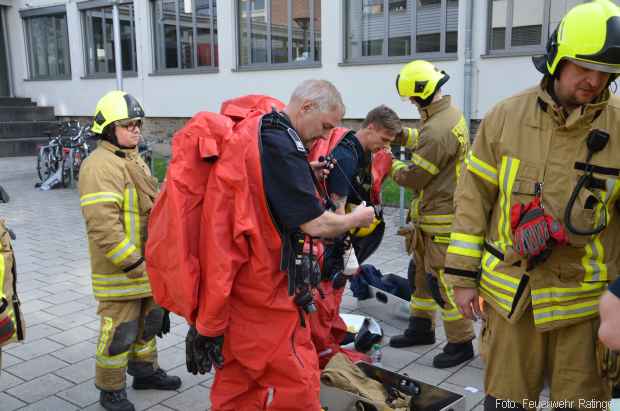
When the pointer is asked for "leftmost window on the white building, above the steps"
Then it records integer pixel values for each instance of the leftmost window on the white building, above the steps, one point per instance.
(47, 43)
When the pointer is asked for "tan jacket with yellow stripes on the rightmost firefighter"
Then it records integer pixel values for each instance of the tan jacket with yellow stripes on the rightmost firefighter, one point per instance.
(526, 140)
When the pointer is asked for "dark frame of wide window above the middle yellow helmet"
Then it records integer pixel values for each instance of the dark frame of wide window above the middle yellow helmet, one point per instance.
(440, 55)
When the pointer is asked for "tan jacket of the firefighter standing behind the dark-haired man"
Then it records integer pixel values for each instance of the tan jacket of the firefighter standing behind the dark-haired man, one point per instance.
(435, 166)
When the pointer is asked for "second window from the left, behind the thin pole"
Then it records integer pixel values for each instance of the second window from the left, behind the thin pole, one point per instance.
(98, 28)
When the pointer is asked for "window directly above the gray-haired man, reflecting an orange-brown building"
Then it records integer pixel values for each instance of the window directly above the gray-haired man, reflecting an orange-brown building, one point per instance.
(277, 33)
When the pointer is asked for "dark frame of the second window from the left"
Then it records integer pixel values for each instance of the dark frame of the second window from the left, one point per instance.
(87, 36)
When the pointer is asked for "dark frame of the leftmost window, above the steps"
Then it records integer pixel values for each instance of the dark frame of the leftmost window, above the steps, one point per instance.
(52, 11)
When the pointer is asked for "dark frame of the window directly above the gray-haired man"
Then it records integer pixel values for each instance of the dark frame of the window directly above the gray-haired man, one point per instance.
(311, 63)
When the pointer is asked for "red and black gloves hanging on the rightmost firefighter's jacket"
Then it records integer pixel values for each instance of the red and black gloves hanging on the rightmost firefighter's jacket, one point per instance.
(534, 231)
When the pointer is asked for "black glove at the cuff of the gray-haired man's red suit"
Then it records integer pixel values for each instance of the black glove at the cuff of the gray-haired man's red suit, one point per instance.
(201, 353)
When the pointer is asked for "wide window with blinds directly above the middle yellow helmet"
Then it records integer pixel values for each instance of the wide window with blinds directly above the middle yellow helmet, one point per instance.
(424, 28)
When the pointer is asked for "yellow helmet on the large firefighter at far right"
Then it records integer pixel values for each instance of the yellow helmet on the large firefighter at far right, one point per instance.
(588, 35)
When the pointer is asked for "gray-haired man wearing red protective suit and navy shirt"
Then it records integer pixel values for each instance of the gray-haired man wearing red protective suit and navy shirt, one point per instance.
(263, 212)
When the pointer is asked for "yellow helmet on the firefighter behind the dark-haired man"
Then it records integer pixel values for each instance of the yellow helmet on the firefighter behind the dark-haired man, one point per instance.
(420, 79)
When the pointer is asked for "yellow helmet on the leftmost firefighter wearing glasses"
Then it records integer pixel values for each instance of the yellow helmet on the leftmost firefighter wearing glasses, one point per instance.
(114, 106)
